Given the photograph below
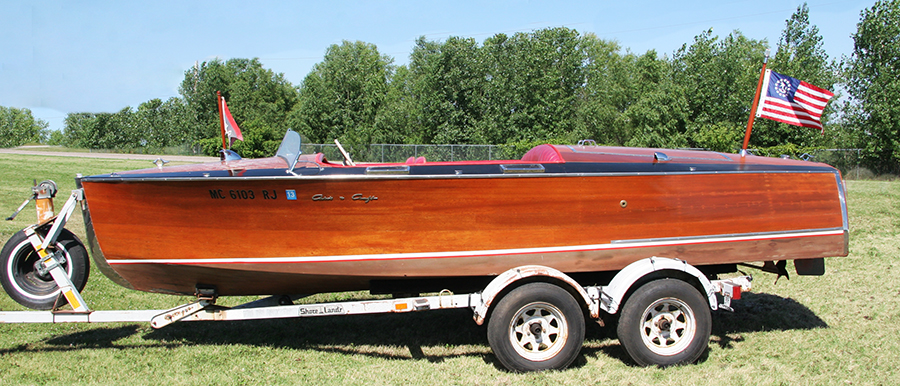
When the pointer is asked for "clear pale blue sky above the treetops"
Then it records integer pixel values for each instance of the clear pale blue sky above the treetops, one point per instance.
(58, 57)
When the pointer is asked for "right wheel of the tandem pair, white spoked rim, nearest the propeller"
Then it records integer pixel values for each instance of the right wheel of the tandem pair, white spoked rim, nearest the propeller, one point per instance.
(665, 322)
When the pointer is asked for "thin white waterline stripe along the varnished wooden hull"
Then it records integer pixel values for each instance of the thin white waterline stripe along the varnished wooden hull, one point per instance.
(496, 252)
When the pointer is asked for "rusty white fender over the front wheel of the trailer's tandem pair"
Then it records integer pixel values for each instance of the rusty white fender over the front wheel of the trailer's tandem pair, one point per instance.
(496, 286)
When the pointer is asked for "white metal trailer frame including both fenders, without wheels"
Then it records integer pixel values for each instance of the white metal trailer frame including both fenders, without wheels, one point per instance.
(595, 298)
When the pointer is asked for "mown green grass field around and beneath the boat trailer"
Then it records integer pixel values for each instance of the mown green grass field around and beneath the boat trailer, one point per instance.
(839, 329)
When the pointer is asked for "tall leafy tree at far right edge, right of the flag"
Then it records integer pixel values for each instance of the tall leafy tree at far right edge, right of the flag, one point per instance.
(873, 82)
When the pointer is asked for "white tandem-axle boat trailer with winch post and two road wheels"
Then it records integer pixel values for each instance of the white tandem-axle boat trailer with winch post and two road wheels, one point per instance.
(535, 314)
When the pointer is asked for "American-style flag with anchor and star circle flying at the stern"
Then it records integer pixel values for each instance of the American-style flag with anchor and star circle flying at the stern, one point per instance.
(792, 101)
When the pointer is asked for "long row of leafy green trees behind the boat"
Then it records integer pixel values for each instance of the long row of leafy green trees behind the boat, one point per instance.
(548, 85)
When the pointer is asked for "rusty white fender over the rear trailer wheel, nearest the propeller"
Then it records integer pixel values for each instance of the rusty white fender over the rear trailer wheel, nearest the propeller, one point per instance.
(611, 296)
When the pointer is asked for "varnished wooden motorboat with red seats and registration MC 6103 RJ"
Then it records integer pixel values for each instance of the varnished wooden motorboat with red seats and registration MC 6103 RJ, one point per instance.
(297, 224)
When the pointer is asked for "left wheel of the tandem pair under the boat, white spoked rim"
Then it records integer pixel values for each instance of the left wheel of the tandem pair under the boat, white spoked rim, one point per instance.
(538, 326)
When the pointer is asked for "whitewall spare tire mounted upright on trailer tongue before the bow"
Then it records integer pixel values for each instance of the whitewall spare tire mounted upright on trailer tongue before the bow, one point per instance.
(26, 285)
